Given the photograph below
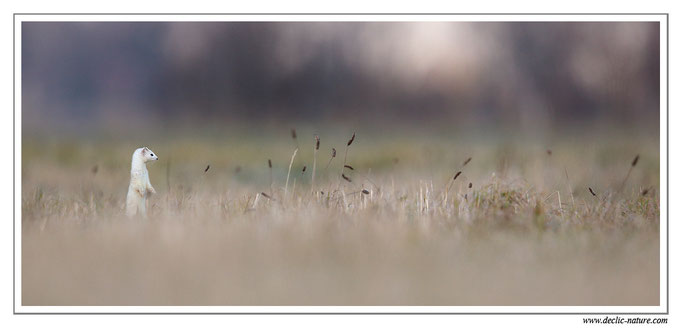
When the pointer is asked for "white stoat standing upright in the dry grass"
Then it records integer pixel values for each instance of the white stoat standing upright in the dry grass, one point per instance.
(140, 186)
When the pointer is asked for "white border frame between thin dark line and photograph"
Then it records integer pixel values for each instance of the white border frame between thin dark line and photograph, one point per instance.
(662, 308)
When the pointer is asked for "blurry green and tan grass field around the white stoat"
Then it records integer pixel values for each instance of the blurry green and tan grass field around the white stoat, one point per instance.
(518, 226)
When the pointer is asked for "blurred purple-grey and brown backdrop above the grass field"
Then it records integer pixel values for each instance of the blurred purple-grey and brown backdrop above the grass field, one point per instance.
(85, 77)
